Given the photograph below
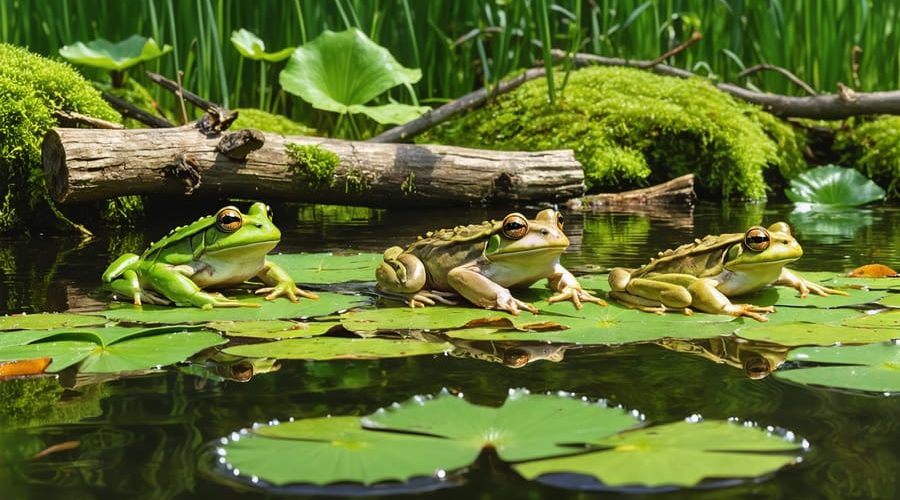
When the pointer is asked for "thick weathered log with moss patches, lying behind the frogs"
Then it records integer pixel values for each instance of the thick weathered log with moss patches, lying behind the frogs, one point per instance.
(85, 164)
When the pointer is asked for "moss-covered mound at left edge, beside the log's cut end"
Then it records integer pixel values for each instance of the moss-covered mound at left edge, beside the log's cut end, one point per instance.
(31, 89)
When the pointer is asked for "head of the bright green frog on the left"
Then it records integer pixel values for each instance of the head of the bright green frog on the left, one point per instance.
(234, 234)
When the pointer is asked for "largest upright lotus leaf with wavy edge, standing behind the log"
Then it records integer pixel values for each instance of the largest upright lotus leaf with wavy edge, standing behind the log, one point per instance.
(341, 72)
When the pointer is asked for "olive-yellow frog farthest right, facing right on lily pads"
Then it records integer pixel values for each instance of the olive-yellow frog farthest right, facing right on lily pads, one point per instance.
(704, 274)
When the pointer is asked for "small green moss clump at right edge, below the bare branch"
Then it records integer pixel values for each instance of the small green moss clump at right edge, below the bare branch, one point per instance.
(873, 147)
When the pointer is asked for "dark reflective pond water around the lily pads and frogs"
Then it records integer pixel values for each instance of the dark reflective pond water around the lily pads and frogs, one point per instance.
(144, 437)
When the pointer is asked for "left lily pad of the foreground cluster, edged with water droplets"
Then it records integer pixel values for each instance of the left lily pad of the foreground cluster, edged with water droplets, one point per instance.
(323, 451)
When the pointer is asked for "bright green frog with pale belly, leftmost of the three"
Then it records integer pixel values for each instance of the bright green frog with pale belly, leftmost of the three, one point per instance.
(215, 251)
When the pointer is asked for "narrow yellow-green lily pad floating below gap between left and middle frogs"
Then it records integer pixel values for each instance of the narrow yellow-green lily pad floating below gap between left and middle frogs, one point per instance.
(324, 348)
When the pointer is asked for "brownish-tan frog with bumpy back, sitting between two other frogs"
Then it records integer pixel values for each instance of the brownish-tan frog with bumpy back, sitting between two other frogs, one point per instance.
(481, 262)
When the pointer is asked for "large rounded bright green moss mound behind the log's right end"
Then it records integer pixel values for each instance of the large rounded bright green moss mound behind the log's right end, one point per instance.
(630, 127)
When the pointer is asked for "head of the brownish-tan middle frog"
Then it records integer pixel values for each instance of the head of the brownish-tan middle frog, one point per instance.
(520, 238)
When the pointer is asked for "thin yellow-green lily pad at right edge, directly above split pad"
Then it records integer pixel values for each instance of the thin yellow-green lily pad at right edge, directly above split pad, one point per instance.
(795, 334)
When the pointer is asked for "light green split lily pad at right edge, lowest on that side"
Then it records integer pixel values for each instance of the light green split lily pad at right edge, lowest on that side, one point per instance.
(873, 367)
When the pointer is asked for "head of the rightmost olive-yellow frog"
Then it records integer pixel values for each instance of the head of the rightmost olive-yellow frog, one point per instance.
(763, 248)
